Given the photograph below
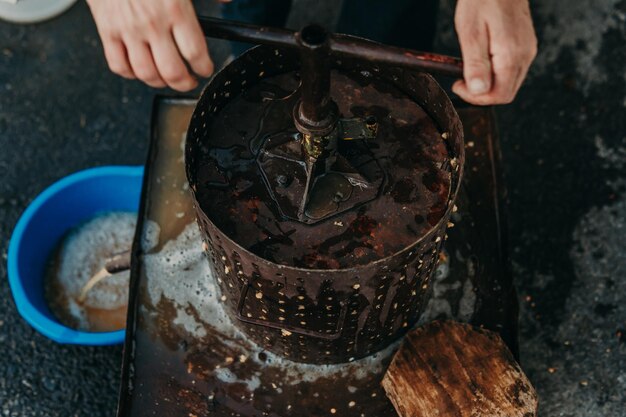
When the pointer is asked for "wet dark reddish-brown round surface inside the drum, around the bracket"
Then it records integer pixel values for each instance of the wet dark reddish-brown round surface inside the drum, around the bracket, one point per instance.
(408, 147)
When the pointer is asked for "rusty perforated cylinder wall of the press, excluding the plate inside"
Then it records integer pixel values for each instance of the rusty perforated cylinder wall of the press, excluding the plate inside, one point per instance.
(309, 314)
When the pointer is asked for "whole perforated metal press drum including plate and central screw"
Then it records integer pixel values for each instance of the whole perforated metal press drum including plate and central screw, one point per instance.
(323, 184)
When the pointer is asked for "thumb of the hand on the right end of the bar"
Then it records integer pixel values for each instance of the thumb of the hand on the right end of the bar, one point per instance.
(474, 41)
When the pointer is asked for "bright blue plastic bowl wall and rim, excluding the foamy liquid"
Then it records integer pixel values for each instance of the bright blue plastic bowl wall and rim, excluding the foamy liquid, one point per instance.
(62, 206)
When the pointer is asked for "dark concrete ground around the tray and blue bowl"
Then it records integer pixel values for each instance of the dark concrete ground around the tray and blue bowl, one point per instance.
(564, 145)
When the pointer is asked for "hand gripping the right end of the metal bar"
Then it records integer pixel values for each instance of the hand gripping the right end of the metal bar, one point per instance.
(498, 45)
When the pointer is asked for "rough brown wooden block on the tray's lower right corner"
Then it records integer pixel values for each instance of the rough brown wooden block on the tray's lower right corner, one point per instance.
(454, 370)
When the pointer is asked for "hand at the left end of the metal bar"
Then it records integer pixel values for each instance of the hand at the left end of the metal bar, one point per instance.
(156, 41)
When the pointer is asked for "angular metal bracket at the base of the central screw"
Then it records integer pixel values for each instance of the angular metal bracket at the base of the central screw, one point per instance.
(310, 191)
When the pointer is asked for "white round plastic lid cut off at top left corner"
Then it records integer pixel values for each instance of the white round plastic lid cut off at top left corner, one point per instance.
(32, 11)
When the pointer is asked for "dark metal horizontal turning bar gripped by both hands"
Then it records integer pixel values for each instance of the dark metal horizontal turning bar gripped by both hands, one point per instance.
(340, 46)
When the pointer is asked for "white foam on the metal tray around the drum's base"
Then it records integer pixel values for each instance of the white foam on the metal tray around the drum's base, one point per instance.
(180, 272)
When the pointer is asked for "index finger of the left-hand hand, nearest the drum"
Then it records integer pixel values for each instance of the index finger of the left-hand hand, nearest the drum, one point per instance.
(192, 46)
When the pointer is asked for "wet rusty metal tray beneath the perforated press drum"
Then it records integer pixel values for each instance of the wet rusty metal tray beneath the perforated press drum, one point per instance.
(182, 360)
